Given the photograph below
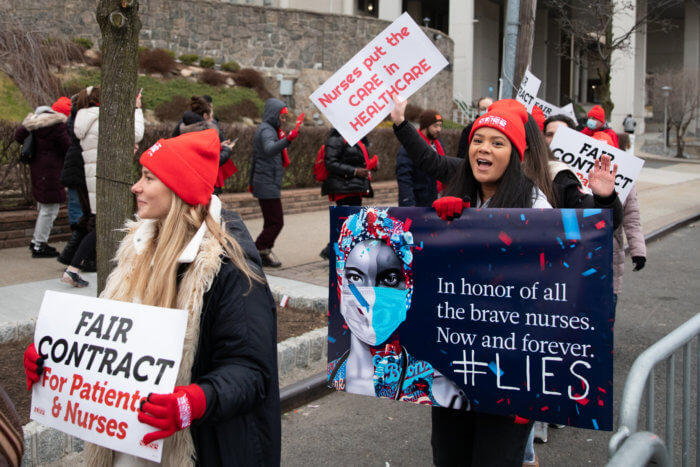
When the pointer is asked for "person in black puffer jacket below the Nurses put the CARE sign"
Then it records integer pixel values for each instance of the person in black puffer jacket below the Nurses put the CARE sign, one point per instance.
(349, 173)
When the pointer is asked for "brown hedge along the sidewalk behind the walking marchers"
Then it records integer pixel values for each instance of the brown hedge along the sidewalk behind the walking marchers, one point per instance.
(302, 153)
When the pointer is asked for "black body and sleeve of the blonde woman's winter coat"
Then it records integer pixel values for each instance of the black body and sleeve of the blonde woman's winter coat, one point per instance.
(238, 374)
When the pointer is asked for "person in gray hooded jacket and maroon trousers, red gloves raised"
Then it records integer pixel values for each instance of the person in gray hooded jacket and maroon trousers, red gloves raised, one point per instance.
(267, 168)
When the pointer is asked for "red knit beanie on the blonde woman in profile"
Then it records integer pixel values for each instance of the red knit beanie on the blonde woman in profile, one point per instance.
(187, 164)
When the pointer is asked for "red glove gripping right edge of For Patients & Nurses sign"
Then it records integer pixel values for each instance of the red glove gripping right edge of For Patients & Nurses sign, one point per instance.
(172, 412)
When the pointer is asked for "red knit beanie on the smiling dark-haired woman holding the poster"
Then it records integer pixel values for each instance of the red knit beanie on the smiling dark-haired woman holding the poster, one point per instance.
(507, 118)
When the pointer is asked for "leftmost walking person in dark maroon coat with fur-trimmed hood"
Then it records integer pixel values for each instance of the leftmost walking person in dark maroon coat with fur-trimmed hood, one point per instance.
(52, 141)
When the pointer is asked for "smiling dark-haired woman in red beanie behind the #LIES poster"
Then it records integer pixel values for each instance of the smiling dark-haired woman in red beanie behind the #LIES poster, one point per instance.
(491, 176)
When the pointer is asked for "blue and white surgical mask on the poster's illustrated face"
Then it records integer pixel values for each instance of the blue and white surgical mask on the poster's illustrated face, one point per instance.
(373, 313)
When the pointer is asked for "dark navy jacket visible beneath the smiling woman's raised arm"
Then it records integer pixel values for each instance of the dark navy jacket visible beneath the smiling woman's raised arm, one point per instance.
(416, 188)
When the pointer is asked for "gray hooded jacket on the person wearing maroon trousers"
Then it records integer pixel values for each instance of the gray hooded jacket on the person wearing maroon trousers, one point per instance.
(266, 165)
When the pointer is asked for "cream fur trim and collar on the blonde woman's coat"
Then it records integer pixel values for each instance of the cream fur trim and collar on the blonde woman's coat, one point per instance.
(204, 253)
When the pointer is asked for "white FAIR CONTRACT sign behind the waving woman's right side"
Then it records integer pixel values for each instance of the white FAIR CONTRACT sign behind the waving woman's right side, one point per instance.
(580, 152)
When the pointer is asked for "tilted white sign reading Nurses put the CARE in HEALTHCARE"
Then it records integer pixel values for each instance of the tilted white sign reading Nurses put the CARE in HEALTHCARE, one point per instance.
(400, 60)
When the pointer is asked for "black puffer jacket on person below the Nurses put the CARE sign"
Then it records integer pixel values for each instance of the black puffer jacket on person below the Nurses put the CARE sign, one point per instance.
(341, 161)
